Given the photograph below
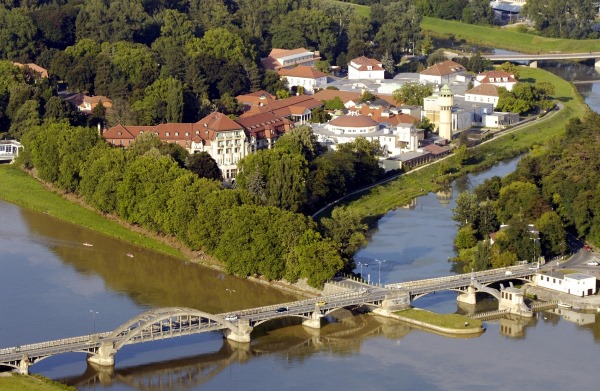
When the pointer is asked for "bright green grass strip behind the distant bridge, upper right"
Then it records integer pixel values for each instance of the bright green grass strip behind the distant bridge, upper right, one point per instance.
(497, 37)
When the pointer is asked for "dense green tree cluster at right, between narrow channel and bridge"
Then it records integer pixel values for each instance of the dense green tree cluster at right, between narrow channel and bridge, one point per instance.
(555, 190)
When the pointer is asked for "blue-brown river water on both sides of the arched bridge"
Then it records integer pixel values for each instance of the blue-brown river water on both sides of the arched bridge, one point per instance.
(54, 287)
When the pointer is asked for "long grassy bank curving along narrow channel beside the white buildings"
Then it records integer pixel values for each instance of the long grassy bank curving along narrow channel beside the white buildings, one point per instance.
(379, 200)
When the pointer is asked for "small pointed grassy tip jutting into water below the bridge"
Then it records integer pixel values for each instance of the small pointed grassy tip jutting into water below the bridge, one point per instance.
(445, 324)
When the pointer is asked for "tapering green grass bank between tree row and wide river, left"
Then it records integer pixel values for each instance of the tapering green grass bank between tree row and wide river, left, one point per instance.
(24, 190)
